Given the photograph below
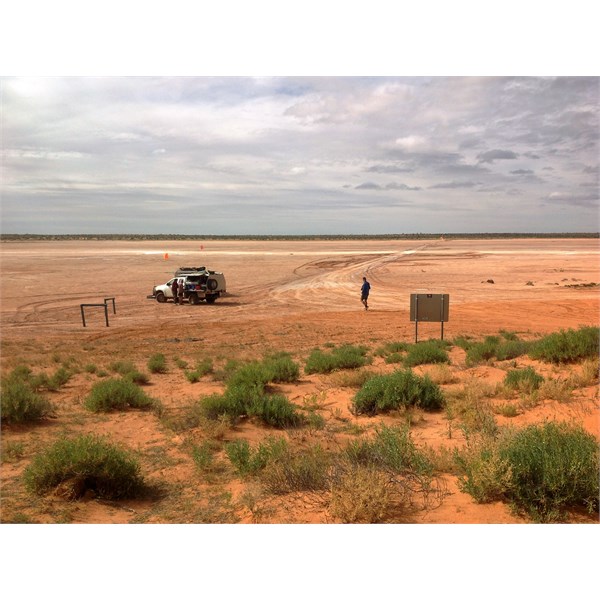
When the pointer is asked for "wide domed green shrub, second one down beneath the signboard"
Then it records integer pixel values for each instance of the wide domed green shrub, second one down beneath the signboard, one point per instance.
(400, 389)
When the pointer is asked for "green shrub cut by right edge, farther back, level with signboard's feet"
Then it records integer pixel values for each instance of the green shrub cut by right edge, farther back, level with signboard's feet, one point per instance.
(567, 346)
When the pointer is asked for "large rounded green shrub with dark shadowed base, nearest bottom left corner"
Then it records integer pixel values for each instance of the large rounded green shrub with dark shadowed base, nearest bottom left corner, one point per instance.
(84, 463)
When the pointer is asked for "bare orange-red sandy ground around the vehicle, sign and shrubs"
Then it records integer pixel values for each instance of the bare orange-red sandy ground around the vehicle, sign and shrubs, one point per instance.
(291, 296)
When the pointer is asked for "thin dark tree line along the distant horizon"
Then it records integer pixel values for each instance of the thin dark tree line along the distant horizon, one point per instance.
(387, 236)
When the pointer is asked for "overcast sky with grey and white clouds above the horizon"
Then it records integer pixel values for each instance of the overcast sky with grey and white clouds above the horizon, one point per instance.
(300, 155)
